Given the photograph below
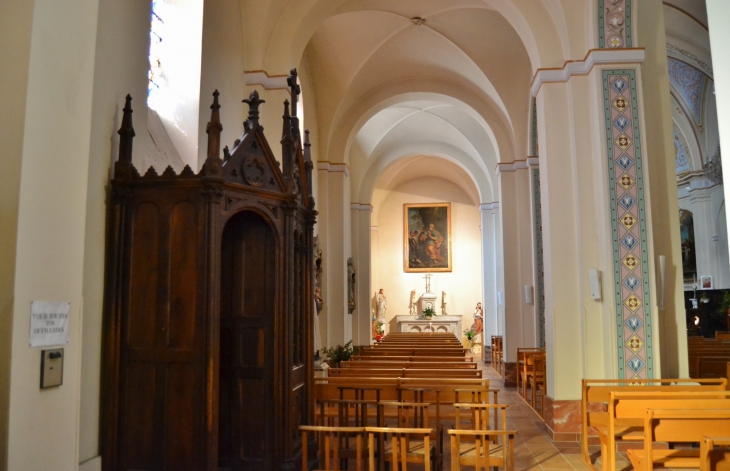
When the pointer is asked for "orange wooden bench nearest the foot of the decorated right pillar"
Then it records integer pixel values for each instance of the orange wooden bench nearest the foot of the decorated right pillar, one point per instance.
(595, 394)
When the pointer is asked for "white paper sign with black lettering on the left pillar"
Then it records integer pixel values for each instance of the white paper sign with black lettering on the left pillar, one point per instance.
(49, 323)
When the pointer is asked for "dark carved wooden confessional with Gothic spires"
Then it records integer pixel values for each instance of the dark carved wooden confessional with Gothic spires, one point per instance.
(208, 306)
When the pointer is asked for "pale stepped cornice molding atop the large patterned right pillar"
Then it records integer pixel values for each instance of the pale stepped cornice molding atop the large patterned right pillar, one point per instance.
(593, 58)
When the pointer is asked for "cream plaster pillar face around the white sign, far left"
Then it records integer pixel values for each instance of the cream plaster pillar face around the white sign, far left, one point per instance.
(50, 229)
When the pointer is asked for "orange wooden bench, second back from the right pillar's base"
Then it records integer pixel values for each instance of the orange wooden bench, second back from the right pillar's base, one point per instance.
(627, 410)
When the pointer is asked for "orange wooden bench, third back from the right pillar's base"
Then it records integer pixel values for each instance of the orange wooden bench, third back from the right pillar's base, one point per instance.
(677, 426)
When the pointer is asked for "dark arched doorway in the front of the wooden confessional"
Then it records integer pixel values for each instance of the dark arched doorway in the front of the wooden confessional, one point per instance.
(248, 305)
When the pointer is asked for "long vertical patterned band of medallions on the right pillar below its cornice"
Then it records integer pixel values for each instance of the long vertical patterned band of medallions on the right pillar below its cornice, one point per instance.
(628, 226)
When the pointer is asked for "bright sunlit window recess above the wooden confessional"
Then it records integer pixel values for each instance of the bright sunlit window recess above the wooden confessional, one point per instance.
(176, 33)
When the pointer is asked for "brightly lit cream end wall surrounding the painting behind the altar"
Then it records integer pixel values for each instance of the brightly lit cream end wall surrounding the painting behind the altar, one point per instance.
(463, 285)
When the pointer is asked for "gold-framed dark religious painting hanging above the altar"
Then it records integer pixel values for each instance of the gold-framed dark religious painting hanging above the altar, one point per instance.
(427, 237)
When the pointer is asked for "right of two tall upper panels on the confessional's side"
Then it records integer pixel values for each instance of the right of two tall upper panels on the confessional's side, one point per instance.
(183, 275)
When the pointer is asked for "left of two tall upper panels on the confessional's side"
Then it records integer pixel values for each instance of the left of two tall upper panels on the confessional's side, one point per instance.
(144, 277)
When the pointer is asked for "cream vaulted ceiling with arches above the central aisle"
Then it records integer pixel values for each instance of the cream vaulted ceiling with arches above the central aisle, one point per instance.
(390, 80)
